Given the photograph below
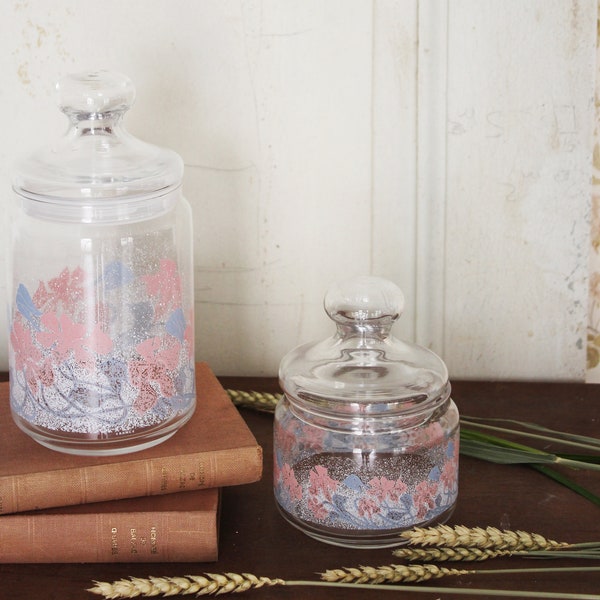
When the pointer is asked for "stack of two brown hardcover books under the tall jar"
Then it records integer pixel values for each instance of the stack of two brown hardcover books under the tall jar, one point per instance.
(157, 505)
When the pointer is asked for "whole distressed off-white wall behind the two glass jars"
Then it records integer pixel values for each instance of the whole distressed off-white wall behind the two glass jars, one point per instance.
(445, 145)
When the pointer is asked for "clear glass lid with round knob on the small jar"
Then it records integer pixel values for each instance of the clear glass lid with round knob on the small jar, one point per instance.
(363, 362)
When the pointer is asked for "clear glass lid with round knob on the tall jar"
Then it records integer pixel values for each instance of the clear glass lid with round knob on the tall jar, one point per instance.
(96, 158)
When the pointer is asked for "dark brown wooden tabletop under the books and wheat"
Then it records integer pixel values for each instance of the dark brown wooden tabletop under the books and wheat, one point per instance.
(254, 538)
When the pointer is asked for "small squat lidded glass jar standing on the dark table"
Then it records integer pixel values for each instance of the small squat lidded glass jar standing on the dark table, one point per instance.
(366, 436)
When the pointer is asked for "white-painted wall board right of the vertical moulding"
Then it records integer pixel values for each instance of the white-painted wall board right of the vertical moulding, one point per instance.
(518, 187)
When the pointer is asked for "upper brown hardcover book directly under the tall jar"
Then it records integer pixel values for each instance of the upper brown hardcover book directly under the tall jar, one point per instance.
(214, 449)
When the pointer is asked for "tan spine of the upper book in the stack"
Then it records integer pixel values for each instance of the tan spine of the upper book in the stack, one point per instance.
(99, 483)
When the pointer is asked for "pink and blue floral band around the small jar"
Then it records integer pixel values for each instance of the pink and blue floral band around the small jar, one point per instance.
(344, 493)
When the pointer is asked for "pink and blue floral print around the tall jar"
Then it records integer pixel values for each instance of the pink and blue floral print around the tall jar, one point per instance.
(67, 358)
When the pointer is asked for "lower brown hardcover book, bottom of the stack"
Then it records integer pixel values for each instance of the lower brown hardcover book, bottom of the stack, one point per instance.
(170, 528)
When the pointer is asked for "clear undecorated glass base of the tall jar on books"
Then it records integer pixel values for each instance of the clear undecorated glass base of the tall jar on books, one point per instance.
(91, 445)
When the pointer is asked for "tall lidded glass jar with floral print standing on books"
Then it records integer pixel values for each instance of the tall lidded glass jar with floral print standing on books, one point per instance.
(100, 292)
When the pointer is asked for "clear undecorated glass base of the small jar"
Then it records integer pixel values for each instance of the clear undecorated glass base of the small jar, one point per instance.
(365, 540)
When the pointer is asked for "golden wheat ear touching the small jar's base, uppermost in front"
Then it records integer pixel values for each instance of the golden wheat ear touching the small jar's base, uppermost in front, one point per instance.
(477, 537)
